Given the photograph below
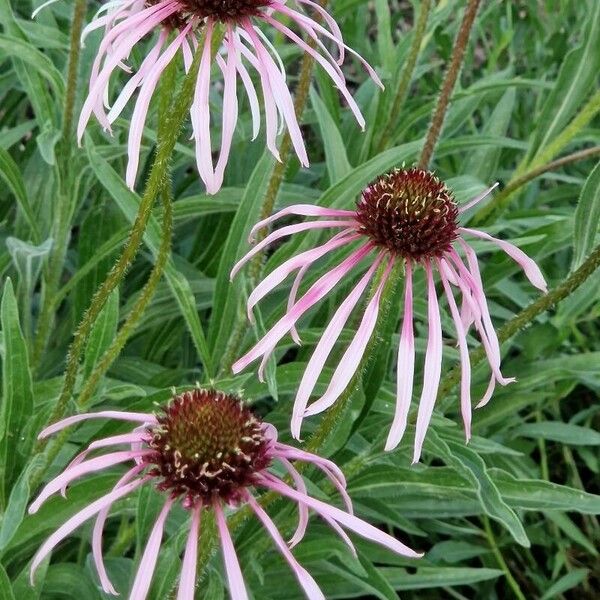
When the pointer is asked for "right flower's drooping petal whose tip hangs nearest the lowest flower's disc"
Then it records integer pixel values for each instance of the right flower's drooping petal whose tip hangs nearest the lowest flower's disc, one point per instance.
(328, 339)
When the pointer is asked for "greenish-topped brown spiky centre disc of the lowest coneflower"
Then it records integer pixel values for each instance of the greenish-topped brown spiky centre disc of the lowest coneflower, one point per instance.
(208, 444)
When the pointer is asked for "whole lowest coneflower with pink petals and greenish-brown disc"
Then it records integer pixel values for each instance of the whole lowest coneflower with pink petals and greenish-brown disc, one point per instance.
(207, 451)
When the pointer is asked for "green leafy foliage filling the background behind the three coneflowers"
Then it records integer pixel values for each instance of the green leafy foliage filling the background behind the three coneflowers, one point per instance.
(525, 96)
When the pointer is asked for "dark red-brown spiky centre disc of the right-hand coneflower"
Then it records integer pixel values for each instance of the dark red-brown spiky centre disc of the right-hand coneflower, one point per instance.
(410, 212)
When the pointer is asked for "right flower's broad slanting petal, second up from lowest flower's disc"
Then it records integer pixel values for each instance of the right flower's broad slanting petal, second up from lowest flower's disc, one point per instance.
(352, 357)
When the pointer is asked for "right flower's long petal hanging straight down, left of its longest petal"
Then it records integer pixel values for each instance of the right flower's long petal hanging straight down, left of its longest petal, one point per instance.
(405, 367)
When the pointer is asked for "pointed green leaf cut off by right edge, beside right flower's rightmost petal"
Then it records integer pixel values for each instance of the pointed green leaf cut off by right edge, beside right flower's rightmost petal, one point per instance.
(587, 218)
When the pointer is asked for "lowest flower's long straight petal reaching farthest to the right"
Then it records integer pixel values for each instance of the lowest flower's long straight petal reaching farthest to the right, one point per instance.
(351, 522)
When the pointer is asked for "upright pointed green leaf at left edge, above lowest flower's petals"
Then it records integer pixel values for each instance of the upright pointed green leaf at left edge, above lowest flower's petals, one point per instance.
(17, 394)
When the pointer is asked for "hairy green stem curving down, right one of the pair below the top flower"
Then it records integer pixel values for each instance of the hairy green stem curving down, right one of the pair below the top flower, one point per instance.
(139, 307)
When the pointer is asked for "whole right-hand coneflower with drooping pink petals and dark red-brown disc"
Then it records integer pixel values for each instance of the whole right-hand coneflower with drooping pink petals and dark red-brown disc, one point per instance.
(410, 217)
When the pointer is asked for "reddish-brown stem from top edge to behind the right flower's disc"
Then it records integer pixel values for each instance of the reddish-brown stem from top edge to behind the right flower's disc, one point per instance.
(450, 78)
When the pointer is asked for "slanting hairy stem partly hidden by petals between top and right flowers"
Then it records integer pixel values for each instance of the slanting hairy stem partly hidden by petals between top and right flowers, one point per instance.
(256, 265)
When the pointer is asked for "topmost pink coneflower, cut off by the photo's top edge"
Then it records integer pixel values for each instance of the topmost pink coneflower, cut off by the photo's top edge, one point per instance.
(180, 23)
